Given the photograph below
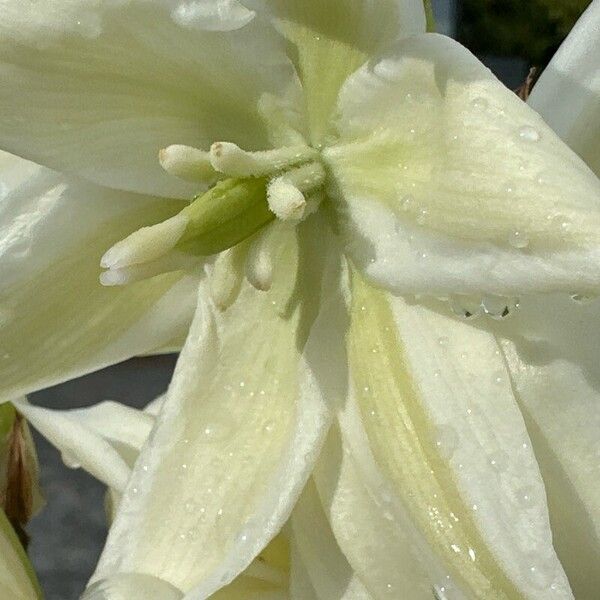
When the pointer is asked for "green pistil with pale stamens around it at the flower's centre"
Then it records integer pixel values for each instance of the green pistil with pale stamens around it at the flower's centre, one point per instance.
(247, 192)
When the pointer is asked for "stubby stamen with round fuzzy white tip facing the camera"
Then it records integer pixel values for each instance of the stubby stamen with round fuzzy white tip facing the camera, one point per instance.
(285, 194)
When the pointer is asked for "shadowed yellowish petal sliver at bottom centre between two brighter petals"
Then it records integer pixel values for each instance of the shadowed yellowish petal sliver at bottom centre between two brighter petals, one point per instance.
(331, 577)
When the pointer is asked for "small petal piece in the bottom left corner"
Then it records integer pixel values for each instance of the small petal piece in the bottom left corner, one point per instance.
(17, 579)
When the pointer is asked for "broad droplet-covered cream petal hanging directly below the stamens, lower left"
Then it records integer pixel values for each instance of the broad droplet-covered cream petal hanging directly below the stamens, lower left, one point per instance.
(235, 443)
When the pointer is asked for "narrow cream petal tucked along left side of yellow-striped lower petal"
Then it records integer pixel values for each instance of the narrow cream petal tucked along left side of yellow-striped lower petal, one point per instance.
(365, 517)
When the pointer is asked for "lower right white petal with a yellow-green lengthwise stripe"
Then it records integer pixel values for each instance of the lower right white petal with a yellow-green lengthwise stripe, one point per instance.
(445, 430)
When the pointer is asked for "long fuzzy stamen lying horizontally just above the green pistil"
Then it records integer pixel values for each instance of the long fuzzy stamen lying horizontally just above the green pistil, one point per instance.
(235, 162)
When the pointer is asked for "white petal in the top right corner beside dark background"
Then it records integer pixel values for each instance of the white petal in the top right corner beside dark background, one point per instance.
(567, 94)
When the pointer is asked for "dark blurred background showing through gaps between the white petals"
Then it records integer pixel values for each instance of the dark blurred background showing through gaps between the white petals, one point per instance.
(510, 36)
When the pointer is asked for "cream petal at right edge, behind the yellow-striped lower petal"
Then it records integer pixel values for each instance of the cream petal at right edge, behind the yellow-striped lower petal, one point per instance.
(551, 348)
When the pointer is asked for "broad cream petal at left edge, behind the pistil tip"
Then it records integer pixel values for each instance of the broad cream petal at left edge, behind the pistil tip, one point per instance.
(57, 321)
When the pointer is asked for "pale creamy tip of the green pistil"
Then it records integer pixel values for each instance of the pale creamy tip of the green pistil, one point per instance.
(146, 244)
